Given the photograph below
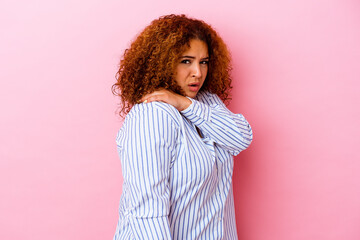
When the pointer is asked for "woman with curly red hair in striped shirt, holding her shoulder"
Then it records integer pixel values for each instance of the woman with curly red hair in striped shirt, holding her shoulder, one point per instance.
(178, 139)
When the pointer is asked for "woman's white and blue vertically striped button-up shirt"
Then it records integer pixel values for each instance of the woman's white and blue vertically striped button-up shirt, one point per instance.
(178, 184)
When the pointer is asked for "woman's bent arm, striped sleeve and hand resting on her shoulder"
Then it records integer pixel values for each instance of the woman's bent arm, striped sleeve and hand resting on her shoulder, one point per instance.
(230, 131)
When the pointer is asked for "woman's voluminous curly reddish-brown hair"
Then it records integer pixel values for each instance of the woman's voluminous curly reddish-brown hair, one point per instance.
(150, 62)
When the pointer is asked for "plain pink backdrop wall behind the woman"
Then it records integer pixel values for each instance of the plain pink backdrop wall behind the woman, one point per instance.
(296, 79)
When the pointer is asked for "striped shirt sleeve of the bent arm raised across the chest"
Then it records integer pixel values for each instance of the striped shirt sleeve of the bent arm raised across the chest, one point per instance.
(228, 130)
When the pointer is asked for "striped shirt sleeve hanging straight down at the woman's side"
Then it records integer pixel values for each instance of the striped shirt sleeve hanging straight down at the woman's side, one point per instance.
(146, 156)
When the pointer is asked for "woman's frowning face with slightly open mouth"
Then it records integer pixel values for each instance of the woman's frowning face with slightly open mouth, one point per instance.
(192, 68)
